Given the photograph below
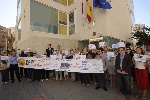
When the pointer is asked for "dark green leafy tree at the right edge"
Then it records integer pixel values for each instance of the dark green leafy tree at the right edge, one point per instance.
(142, 35)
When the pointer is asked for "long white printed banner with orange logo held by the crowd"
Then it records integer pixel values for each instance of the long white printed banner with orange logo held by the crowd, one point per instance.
(79, 65)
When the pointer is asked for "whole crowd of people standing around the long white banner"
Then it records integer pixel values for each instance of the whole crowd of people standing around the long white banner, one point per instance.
(122, 67)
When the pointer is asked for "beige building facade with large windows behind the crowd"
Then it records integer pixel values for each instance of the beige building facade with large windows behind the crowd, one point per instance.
(61, 22)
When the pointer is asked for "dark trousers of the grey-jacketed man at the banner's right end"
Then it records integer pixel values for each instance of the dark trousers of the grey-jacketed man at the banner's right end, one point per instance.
(100, 79)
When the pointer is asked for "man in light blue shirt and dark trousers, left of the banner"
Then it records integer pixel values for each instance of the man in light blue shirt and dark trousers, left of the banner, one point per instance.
(14, 67)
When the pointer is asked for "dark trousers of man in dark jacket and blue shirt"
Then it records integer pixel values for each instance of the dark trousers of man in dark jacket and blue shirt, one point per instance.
(124, 81)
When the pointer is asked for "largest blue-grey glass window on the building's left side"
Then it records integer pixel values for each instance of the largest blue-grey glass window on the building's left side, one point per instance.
(43, 18)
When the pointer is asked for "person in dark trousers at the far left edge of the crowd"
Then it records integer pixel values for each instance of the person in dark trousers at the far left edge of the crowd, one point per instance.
(5, 71)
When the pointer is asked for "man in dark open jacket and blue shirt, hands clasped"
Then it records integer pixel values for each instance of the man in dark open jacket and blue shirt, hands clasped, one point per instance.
(123, 66)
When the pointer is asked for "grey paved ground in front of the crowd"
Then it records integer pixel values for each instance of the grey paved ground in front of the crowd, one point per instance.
(56, 90)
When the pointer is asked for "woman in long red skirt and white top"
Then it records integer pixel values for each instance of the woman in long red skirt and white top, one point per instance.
(141, 75)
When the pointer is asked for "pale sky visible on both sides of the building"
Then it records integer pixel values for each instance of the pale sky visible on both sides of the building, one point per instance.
(8, 12)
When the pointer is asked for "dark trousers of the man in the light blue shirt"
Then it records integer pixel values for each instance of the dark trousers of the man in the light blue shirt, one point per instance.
(13, 68)
